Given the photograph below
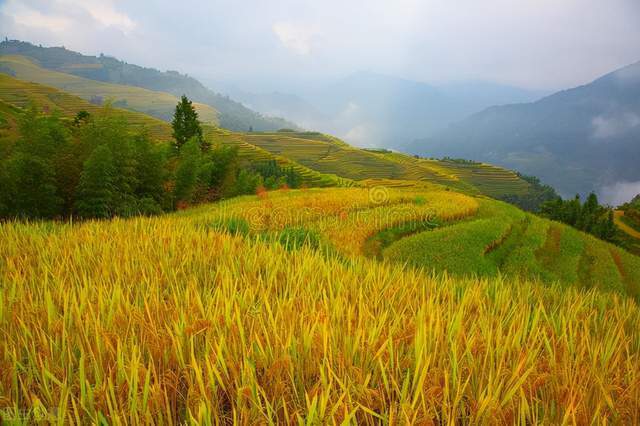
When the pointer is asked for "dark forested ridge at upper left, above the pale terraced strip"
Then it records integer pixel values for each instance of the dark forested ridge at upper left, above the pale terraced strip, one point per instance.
(232, 115)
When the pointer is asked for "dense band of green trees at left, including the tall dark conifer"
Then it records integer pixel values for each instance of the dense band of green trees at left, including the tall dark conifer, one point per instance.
(95, 166)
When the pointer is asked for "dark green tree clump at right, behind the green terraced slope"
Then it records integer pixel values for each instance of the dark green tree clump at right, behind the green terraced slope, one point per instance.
(589, 217)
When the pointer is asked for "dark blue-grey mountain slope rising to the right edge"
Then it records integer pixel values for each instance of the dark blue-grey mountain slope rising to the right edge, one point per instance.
(578, 140)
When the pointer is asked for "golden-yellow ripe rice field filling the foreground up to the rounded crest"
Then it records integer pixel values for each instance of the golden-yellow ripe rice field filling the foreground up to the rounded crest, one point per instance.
(263, 310)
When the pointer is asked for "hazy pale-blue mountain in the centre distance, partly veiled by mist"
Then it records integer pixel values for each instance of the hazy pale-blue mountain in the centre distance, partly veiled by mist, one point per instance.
(369, 109)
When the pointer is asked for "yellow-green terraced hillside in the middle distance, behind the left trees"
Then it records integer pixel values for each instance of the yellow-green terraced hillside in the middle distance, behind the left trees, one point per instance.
(322, 160)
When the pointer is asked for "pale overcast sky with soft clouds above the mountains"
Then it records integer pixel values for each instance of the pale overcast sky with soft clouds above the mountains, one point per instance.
(541, 44)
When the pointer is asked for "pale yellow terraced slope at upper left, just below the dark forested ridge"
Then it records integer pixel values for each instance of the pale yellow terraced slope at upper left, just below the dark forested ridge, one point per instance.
(157, 104)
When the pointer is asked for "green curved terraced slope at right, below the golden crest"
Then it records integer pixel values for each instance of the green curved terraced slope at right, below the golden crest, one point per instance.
(502, 239)
